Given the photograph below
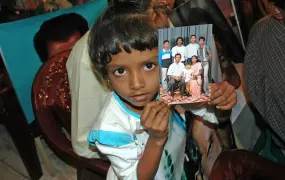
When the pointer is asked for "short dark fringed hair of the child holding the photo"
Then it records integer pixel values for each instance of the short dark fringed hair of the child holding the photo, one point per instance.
(123, 26)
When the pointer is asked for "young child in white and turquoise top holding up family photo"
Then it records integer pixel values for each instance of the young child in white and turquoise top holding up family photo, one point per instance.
(140, 136)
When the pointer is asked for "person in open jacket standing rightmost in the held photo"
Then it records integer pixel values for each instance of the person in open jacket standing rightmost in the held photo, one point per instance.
(204, 55)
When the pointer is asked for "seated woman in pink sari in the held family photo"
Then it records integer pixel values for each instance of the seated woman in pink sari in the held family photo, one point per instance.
(196, 80)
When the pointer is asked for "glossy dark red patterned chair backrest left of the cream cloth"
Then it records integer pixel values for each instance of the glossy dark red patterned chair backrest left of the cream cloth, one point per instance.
(51, 89)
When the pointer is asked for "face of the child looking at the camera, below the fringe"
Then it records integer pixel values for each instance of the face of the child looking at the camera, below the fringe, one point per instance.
(135, 76)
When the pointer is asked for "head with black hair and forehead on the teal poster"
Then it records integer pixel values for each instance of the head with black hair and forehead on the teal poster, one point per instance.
(59, 34)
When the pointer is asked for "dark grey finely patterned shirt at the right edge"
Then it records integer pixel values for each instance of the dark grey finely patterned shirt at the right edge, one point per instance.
(265, 73)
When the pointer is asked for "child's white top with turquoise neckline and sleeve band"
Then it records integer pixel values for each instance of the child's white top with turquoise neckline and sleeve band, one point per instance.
(114, 134)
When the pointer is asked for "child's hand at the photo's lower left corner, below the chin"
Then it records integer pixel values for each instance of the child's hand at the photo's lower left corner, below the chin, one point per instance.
(154, 118)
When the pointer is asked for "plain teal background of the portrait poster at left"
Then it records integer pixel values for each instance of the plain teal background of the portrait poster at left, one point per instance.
(19, 55)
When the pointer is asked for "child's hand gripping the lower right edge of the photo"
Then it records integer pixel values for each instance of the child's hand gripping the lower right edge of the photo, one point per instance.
(223, 95)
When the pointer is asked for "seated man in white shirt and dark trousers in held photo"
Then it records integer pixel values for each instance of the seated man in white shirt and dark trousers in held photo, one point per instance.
(175, 75)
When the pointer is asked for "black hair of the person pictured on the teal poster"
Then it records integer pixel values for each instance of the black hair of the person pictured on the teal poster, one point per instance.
(58, 29)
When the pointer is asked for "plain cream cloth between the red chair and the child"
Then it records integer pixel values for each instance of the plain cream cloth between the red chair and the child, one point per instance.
(87, 97)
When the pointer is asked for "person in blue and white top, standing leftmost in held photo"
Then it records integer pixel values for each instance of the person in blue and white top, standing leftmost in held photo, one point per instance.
(165, 60)
